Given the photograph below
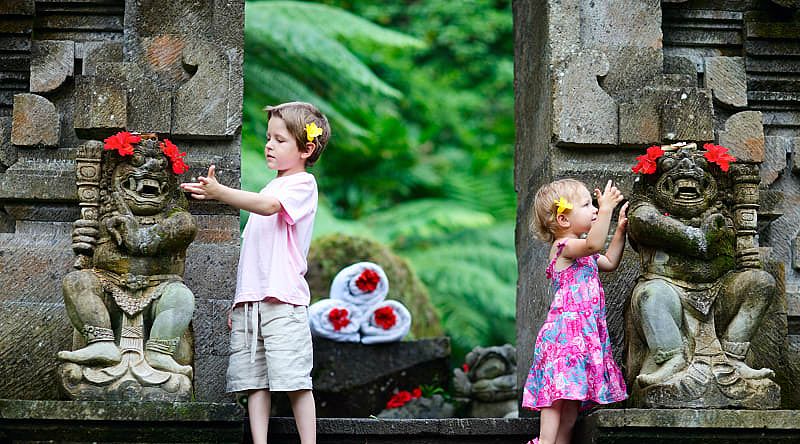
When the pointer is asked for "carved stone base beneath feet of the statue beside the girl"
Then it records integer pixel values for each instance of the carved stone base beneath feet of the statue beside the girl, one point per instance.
(676, 393)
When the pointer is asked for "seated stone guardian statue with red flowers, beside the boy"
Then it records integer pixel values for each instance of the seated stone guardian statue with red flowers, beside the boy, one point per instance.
(127, 300)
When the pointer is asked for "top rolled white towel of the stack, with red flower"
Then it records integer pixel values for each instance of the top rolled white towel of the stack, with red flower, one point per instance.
(363, 285)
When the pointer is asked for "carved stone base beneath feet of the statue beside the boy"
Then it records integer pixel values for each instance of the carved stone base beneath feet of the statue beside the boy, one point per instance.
(78, 382)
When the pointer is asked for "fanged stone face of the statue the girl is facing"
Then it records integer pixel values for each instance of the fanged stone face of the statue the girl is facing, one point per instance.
(685, 187)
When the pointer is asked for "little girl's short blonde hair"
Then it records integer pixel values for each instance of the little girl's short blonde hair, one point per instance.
(544, 206)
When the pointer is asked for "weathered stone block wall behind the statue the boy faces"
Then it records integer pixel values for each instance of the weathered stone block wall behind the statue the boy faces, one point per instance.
(72, 71)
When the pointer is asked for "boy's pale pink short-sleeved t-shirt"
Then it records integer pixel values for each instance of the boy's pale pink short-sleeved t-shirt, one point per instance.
(272, 262)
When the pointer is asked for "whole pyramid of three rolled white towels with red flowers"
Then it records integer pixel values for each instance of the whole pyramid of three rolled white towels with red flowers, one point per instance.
(357, 311)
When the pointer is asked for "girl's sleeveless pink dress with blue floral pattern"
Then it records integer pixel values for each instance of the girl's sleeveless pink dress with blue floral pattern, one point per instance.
(572, 358)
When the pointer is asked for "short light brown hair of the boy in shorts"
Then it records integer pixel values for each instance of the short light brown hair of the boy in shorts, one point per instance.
(297, 115)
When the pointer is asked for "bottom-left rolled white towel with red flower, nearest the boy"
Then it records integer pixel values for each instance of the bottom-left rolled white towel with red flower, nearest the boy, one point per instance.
(334, 320)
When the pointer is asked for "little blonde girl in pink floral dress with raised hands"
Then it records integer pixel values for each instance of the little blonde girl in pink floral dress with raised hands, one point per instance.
(572, 361)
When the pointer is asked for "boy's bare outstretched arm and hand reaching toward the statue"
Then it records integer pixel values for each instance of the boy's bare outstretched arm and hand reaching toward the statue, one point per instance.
(208, 188)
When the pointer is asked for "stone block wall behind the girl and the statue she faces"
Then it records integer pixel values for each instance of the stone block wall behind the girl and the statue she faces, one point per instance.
(597, 82)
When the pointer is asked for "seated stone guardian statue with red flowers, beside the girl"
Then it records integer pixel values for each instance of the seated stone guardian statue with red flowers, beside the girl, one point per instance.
(702, 292)
